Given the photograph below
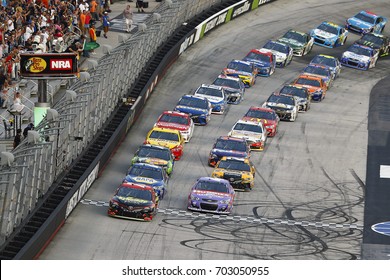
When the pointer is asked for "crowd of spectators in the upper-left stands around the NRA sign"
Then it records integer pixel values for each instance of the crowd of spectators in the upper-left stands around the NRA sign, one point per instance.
(42, 26)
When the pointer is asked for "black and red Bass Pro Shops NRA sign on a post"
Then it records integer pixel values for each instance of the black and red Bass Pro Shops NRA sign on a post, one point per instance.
(48, 65)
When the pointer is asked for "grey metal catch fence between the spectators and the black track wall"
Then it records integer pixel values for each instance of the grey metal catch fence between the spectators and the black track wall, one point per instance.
(27, 173)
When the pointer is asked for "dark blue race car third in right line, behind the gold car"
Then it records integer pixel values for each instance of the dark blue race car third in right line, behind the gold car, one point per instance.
(228, 146)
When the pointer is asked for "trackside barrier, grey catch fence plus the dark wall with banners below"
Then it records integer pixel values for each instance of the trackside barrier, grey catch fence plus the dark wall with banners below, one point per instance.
(75, 141)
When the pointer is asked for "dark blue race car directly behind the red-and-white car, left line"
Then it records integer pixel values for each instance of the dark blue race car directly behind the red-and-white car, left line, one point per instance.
(199, 108)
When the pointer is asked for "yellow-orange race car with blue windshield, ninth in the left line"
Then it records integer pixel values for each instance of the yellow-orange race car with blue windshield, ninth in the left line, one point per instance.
(244, 70)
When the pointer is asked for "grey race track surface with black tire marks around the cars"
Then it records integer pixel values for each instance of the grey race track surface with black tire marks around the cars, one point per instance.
(312, 172)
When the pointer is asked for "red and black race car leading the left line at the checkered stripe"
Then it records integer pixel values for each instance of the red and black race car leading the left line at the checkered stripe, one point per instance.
(133, 201)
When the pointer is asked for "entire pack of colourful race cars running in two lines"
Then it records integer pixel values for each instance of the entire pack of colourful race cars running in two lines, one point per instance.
(146, 181)
